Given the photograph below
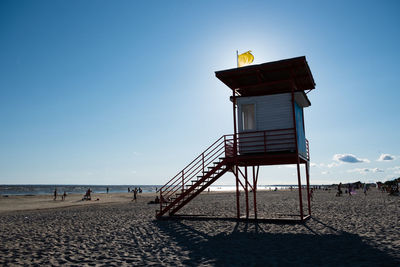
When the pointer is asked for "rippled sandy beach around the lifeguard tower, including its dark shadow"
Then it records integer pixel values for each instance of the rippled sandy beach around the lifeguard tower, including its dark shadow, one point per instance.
(114, 231)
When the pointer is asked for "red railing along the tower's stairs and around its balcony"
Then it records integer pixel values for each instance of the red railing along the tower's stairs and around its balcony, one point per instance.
(247, 142)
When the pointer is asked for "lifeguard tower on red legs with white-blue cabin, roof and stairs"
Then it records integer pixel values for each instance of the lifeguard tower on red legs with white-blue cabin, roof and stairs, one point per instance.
(268, 101)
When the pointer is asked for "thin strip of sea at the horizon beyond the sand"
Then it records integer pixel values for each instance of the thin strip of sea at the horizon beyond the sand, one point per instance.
(45, 189)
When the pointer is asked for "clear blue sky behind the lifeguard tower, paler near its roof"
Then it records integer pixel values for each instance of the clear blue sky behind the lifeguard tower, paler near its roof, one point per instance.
(124, 92)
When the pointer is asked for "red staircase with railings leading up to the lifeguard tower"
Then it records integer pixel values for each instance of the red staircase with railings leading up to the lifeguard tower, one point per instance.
(197, 176)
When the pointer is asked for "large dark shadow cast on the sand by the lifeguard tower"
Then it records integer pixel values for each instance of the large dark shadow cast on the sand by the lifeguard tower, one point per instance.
(249, 244)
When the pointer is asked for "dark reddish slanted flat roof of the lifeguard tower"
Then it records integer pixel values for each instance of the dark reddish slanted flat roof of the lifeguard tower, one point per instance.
(269, 78)
